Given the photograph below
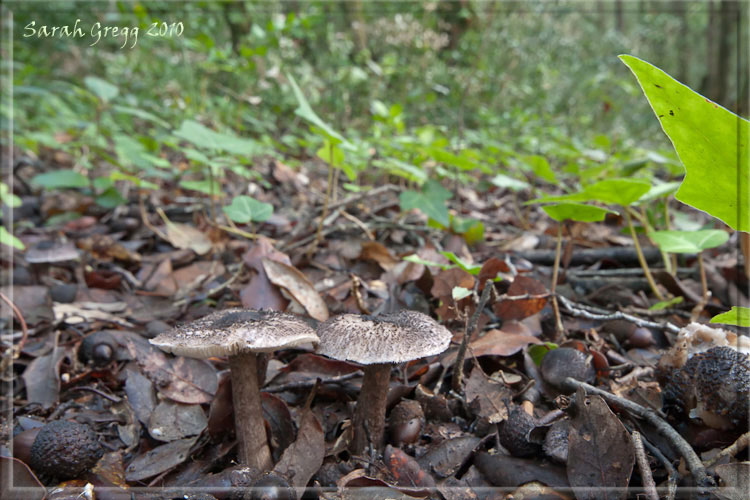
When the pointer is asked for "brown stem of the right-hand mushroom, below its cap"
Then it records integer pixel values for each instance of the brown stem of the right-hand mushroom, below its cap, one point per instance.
(369, 417)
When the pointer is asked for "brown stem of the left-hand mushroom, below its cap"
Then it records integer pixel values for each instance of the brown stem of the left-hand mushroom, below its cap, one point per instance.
(248, 413)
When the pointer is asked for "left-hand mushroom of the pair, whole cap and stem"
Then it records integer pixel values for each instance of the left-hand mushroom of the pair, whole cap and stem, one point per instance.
(241, 335)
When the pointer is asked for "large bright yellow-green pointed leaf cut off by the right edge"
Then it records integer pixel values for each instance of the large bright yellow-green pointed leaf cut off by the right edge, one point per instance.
(711, 141)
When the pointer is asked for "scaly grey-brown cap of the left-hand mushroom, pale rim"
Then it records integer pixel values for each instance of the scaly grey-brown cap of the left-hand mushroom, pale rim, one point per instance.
(233, 331)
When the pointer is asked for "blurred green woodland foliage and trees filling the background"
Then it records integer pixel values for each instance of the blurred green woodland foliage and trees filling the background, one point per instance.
(480, 86)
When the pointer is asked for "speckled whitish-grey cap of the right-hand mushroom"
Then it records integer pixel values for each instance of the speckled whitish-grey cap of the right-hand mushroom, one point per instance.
(387, 338)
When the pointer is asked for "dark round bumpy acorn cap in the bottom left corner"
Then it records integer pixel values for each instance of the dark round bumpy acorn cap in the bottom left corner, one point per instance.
(64, 449)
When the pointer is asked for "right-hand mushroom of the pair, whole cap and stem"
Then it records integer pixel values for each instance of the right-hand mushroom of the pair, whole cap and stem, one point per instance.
(378, 342)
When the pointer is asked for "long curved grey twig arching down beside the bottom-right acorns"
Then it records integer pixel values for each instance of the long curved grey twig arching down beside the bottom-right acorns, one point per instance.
(694, 464)
